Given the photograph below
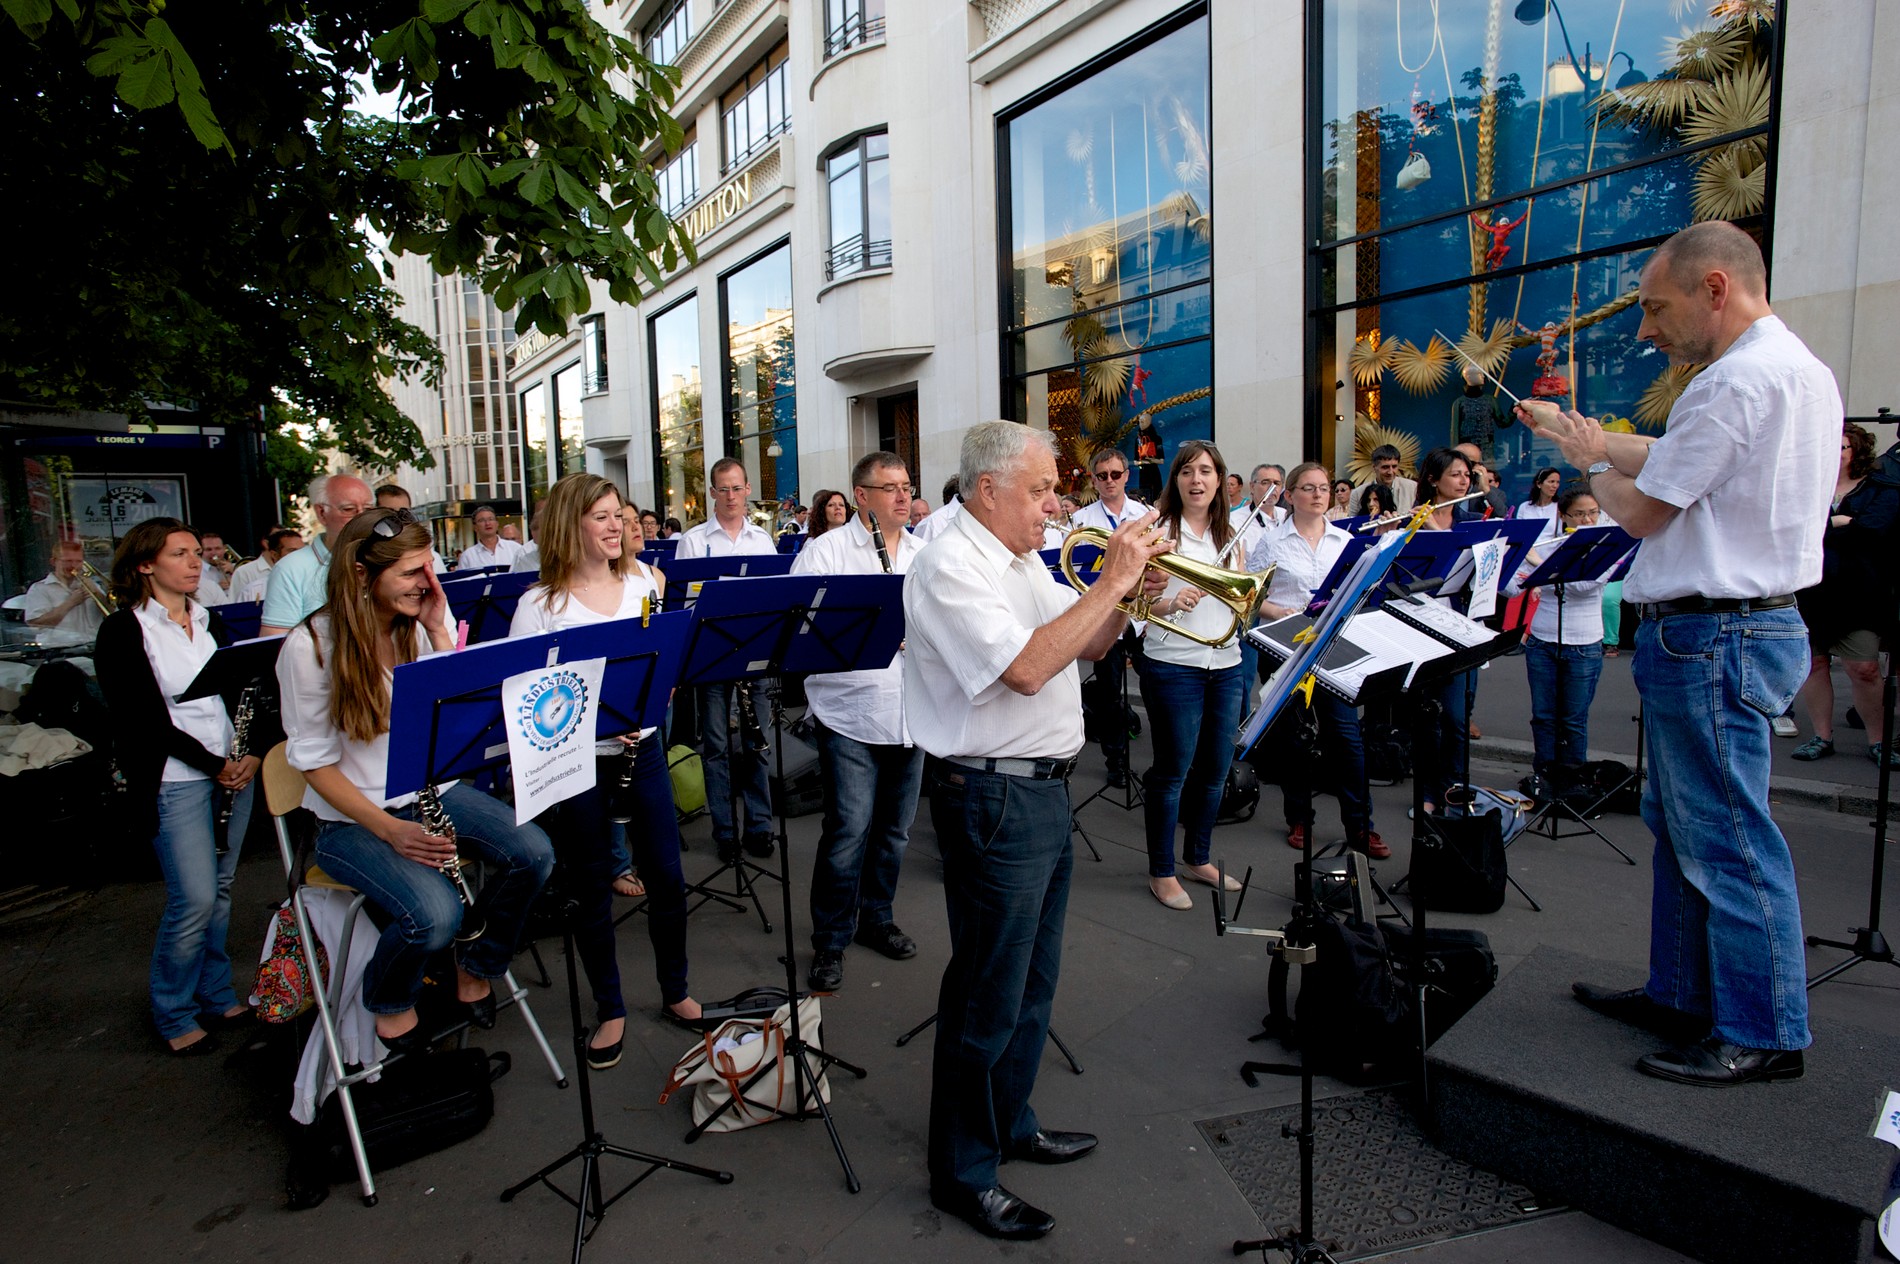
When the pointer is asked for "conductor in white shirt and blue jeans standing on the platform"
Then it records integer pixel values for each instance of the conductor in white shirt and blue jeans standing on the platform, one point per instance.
(1730, 505)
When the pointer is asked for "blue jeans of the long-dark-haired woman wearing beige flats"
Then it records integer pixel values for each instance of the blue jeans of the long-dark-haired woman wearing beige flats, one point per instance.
(1192, 718)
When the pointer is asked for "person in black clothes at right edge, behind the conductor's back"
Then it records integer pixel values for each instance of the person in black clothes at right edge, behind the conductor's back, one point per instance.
(1852, 609)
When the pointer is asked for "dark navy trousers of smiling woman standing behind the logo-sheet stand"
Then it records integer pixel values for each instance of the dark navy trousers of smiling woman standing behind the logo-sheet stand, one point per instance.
(584, 841)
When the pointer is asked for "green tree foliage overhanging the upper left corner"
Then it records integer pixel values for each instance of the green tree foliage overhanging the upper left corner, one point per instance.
(204, 216)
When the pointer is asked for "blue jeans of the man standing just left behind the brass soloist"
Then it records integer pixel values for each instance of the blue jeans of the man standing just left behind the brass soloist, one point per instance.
(871, 795)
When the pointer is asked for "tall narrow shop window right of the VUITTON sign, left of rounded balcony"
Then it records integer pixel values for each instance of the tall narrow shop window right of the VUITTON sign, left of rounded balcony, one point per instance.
(761, 379)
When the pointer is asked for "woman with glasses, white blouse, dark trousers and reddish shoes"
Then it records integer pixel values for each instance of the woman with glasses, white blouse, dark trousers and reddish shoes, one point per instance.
(1304, 550)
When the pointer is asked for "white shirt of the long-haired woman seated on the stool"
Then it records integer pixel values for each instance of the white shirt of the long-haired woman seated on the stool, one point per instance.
(313, 740)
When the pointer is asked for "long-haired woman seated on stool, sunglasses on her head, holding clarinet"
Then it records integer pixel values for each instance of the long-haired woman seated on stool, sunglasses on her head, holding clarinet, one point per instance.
(385, 609)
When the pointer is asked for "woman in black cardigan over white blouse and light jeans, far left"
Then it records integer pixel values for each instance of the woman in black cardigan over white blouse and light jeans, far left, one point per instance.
(180, 771)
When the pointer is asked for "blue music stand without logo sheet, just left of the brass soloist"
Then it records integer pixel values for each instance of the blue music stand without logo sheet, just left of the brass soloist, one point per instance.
(795, 624)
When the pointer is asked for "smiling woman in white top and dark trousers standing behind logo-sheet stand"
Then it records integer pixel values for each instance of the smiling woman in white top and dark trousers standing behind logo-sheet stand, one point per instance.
(590, 577)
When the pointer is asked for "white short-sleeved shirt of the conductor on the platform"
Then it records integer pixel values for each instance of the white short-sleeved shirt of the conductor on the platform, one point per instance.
(1751, 459)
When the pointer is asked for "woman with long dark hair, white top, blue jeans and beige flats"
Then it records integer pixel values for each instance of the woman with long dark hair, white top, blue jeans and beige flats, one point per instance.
(1192, 691)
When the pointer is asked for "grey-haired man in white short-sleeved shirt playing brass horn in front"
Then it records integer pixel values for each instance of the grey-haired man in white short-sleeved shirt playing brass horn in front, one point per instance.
(993, 693)
